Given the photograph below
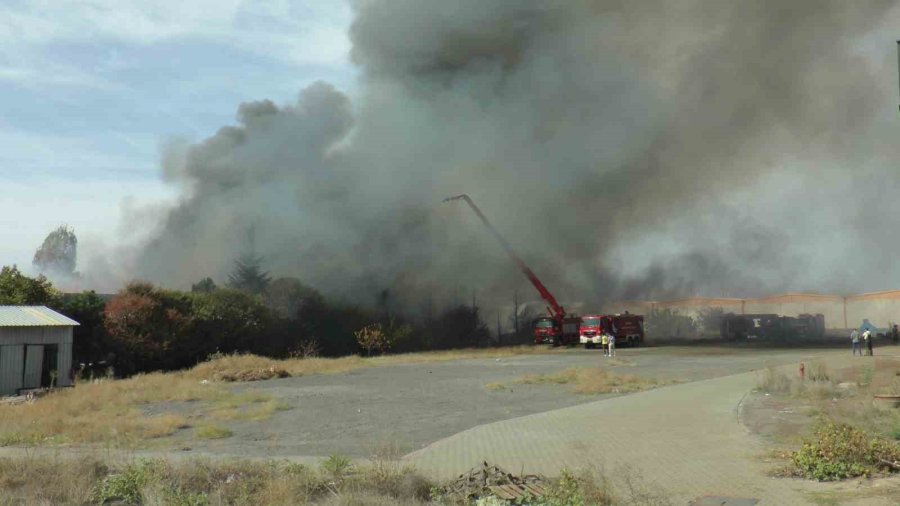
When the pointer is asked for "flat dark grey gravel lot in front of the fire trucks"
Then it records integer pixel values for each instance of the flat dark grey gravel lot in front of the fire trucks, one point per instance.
(407, 407)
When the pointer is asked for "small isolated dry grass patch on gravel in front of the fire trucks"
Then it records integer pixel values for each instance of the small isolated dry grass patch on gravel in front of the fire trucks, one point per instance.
(593, 381)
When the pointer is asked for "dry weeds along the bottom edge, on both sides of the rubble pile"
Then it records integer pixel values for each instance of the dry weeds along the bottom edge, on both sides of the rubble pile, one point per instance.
(336, 481)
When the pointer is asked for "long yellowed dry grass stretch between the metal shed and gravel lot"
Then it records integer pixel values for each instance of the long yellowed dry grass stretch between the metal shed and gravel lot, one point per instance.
(113, 411)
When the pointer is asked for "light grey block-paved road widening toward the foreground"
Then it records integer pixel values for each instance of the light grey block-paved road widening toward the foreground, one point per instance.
(685, 439)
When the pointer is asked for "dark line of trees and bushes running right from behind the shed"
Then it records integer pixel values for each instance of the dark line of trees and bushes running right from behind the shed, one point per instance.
(146, 328)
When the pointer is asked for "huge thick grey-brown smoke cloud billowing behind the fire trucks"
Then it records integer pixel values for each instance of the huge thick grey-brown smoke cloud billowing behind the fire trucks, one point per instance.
(625, 149)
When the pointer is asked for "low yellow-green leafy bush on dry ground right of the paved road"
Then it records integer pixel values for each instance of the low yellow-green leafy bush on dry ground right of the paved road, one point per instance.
(840, 451)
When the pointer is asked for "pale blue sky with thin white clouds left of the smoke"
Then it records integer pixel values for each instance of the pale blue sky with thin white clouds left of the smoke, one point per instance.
(89, 89)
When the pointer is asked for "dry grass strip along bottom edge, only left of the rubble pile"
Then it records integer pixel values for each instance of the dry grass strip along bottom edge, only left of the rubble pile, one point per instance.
(159, 482)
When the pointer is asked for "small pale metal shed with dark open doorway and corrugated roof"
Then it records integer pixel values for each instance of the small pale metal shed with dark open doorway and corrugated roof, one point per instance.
(35, 346)
